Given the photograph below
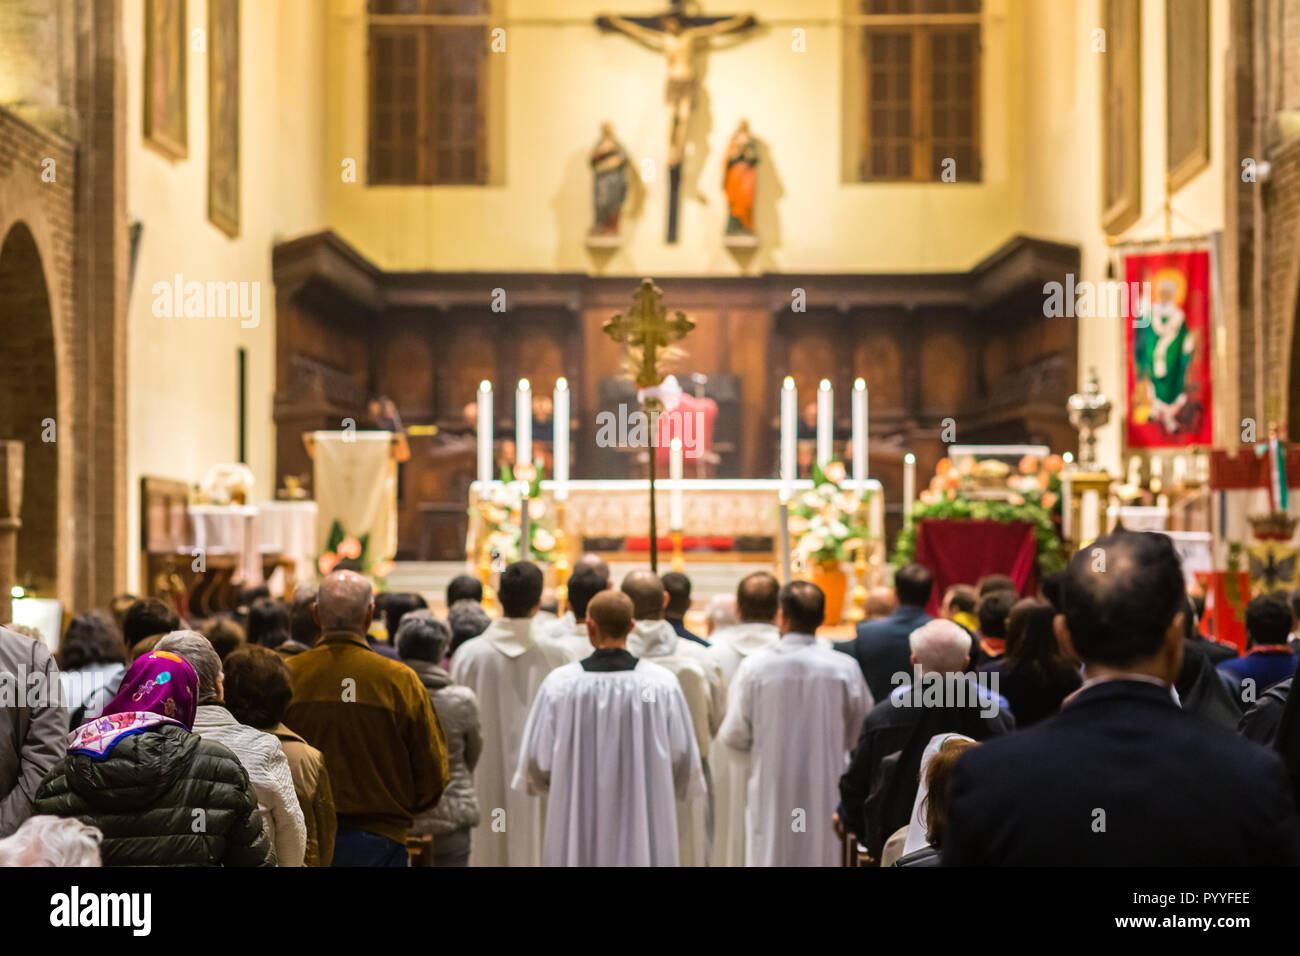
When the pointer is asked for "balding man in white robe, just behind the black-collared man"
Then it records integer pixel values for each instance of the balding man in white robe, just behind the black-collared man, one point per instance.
(701, 680)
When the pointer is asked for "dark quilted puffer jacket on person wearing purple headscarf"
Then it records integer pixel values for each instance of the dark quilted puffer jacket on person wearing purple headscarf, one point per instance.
(164, 798)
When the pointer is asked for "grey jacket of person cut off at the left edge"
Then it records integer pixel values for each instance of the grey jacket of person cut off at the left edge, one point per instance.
(33, 725)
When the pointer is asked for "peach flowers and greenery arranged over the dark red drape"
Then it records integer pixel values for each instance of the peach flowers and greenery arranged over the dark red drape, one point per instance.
(993, 491)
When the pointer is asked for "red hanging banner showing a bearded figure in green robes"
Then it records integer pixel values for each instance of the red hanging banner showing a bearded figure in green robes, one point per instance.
(1168, 351)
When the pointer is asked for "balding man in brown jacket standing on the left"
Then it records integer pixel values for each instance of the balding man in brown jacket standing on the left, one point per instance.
(372, 720)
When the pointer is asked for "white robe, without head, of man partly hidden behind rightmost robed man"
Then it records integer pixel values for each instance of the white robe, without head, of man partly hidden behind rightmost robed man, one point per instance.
(729, 769)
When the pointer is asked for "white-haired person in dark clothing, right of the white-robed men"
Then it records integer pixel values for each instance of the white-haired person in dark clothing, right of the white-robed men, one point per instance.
(939, 697)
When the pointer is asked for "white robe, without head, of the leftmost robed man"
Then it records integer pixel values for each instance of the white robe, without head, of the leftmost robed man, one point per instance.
(505, 667)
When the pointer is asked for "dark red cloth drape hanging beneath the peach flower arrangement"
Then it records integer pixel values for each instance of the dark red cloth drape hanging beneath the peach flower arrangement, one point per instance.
(961, 552)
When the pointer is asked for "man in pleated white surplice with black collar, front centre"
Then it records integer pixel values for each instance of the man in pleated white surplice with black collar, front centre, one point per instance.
(610, 741)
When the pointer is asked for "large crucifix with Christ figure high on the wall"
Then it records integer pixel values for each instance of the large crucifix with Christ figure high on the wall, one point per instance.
(681, 38)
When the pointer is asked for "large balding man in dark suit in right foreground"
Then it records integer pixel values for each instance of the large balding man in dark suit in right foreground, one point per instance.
(1123, 776)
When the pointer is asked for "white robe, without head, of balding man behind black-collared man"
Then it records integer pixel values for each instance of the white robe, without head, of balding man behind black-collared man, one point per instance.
(701, 682)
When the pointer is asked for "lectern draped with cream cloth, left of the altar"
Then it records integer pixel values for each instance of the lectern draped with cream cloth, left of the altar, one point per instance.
(356, 482)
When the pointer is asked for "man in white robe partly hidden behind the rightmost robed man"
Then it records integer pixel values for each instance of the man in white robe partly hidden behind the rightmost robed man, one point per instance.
(729, 769)
